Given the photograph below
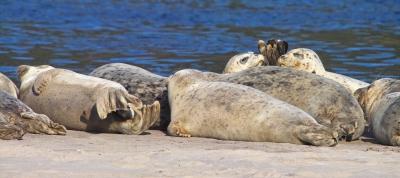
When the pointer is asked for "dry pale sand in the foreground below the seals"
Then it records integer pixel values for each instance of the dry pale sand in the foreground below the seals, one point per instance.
(81, 154)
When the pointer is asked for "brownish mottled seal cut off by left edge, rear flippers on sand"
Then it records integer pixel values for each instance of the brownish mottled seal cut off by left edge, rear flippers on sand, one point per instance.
(16, 119)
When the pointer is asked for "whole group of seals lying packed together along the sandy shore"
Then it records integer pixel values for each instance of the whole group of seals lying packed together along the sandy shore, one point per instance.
(250, 101)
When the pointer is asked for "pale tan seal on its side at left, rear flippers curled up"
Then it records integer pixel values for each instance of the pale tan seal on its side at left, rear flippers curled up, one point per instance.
(82, 102)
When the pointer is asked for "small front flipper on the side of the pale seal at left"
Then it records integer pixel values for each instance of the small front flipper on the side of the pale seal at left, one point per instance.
(43, 79)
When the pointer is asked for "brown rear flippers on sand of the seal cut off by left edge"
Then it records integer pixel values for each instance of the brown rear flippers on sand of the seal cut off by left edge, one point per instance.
(39, 123)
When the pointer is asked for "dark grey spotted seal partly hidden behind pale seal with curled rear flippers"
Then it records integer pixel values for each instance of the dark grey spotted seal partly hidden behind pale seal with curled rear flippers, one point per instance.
(141, 83)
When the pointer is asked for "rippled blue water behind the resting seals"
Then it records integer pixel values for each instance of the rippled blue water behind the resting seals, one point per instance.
(361, 40)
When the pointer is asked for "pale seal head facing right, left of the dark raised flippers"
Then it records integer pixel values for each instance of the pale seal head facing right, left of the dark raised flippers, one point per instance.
(244, 61)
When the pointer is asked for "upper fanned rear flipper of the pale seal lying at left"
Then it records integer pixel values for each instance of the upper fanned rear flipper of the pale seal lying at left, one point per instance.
(114, 99)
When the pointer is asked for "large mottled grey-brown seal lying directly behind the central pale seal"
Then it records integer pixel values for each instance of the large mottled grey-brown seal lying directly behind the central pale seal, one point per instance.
(325, 100)
